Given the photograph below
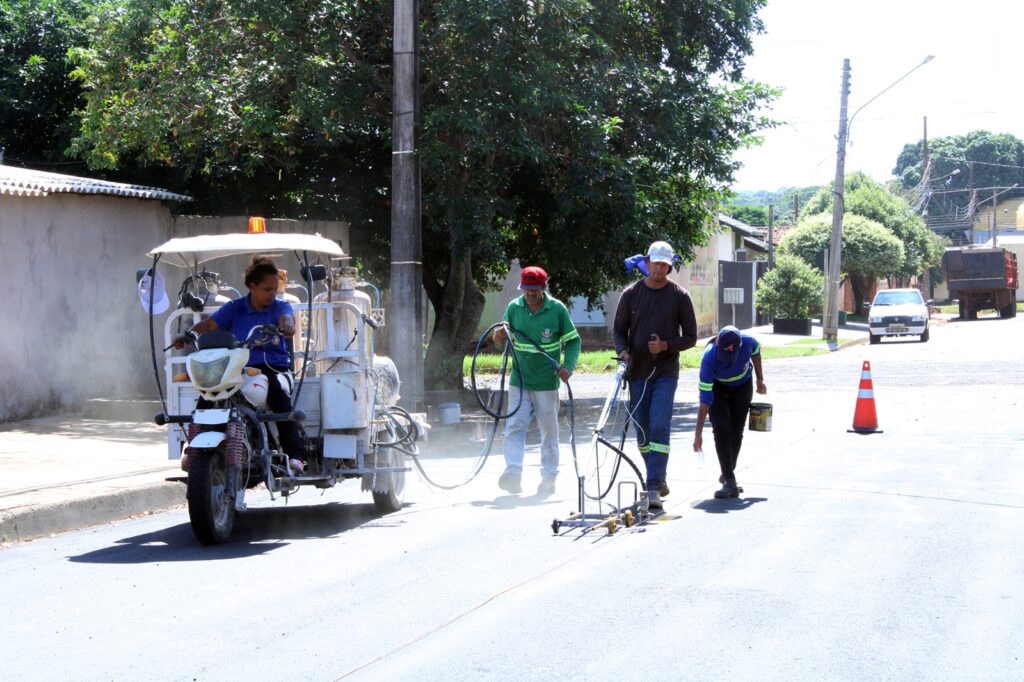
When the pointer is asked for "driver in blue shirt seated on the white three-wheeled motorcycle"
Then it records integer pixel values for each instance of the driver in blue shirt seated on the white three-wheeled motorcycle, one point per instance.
(262, 307)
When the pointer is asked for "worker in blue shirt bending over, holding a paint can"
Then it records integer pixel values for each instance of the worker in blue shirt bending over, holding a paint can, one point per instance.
(728, 367)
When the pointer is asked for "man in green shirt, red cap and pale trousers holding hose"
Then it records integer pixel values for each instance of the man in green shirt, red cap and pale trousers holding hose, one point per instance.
(538, 317)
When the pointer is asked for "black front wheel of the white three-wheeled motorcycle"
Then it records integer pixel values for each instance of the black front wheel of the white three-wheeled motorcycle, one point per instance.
(211, 506)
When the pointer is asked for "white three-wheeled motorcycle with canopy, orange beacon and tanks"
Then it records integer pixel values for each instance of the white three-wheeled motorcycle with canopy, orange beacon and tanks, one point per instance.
(344, 397)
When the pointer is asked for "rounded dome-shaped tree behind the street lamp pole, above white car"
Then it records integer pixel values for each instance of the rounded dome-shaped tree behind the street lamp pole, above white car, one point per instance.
(870, 251)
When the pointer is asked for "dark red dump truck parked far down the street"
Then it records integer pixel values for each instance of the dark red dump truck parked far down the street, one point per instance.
(983, 278)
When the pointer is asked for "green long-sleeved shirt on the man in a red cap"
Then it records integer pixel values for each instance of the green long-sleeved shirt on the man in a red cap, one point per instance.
(552, 328)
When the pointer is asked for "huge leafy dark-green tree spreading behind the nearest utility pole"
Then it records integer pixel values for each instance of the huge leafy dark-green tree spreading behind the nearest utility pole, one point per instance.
(567, 134)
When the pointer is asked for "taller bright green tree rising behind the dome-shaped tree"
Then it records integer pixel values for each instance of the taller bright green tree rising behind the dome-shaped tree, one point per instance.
(869, 199)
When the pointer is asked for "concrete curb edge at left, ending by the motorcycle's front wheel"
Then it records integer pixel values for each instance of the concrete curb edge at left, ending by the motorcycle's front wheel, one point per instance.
(40, 521)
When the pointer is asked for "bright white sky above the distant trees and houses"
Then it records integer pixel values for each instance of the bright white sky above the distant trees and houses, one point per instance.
(974, 82)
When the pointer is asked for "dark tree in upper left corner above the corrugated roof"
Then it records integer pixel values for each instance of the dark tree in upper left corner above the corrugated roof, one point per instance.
(37, 98)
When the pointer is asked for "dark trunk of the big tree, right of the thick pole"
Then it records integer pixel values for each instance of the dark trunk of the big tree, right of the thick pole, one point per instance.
(458, 307)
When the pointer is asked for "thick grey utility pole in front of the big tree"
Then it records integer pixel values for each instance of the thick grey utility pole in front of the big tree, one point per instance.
(406, 322)
